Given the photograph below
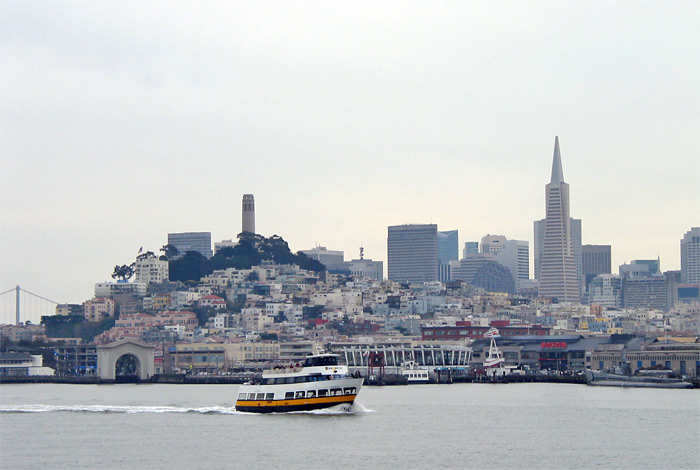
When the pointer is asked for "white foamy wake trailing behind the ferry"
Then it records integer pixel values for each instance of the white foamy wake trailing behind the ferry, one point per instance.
(218, 410)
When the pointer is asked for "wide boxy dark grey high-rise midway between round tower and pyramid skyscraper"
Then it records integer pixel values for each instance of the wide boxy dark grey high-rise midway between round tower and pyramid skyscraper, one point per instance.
(412, 253)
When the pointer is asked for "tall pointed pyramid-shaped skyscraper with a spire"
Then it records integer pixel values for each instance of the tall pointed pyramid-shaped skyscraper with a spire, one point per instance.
(558, 278)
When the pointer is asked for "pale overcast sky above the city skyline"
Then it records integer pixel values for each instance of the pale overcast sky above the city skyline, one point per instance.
(124, 121)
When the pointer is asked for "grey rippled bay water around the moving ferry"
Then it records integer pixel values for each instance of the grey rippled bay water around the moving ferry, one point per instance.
(423, 426)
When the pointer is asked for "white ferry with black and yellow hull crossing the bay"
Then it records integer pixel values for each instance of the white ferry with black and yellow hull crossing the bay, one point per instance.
(320, 382)
